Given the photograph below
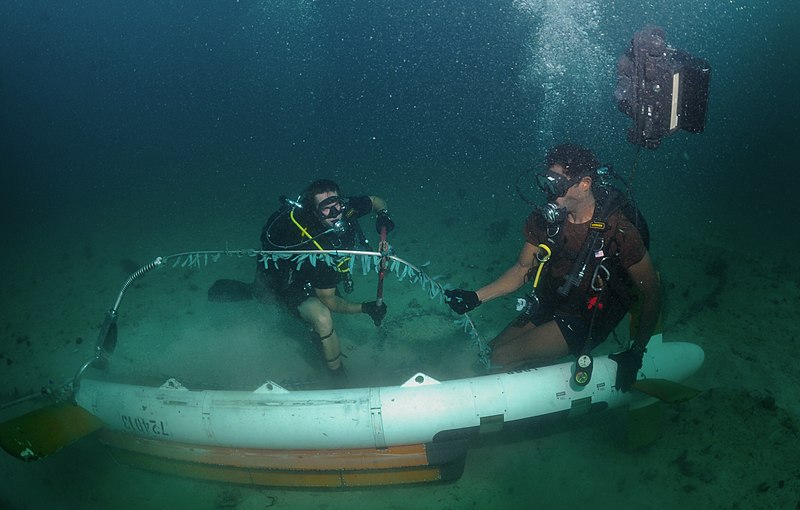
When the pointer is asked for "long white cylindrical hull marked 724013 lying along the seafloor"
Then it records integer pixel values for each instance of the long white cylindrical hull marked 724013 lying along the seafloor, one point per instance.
(274, 418)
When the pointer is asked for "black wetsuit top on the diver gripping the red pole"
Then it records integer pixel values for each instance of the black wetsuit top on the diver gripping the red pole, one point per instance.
(281, 234)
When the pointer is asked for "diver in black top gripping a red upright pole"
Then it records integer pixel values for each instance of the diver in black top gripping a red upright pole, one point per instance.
(320, 219)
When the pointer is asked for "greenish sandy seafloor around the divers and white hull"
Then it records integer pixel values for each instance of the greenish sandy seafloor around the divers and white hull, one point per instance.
(735, 446)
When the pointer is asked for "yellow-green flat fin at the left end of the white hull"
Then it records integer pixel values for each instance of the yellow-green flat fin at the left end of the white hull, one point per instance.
(37, 434)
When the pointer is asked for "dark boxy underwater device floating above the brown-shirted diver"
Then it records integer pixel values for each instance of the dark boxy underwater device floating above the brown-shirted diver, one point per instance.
(662, 89)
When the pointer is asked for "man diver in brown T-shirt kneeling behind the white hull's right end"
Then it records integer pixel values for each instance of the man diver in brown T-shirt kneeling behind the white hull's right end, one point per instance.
(587, 261)
